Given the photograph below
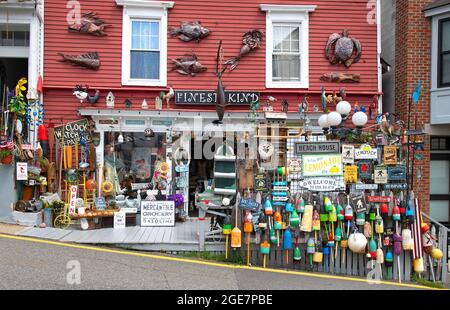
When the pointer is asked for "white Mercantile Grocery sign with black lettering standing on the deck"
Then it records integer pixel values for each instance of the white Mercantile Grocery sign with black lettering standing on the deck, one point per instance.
(157, 213)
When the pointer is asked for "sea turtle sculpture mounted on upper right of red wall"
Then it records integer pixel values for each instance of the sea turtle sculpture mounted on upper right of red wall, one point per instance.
(340, 49)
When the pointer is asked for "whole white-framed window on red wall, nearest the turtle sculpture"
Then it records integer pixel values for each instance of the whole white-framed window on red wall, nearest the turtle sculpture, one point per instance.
(287, 45)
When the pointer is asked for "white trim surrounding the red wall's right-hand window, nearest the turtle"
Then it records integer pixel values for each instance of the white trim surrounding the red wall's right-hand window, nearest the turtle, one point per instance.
(297, 14)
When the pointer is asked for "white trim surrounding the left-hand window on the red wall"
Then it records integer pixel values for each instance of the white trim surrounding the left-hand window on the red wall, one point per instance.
(148, 10)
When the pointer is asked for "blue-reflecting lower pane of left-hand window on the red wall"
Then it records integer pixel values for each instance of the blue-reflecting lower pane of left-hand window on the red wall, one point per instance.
(144, 65)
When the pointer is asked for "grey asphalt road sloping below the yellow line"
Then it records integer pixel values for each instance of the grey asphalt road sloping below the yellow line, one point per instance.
(25, 264)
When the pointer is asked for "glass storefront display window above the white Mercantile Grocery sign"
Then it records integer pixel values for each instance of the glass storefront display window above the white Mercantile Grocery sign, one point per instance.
(139, 159)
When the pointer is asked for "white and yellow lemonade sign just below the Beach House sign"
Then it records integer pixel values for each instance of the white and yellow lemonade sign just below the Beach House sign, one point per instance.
(322, 165)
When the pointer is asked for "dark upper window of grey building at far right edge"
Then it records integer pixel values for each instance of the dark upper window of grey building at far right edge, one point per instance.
(444, 53)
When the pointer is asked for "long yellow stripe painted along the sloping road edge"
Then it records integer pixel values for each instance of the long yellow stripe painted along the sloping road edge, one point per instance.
(222, 265)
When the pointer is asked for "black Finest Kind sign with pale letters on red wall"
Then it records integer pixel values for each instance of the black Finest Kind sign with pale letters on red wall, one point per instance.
(210, 97)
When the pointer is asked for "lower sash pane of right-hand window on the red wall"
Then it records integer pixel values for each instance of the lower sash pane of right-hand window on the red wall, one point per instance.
(286, 68)
